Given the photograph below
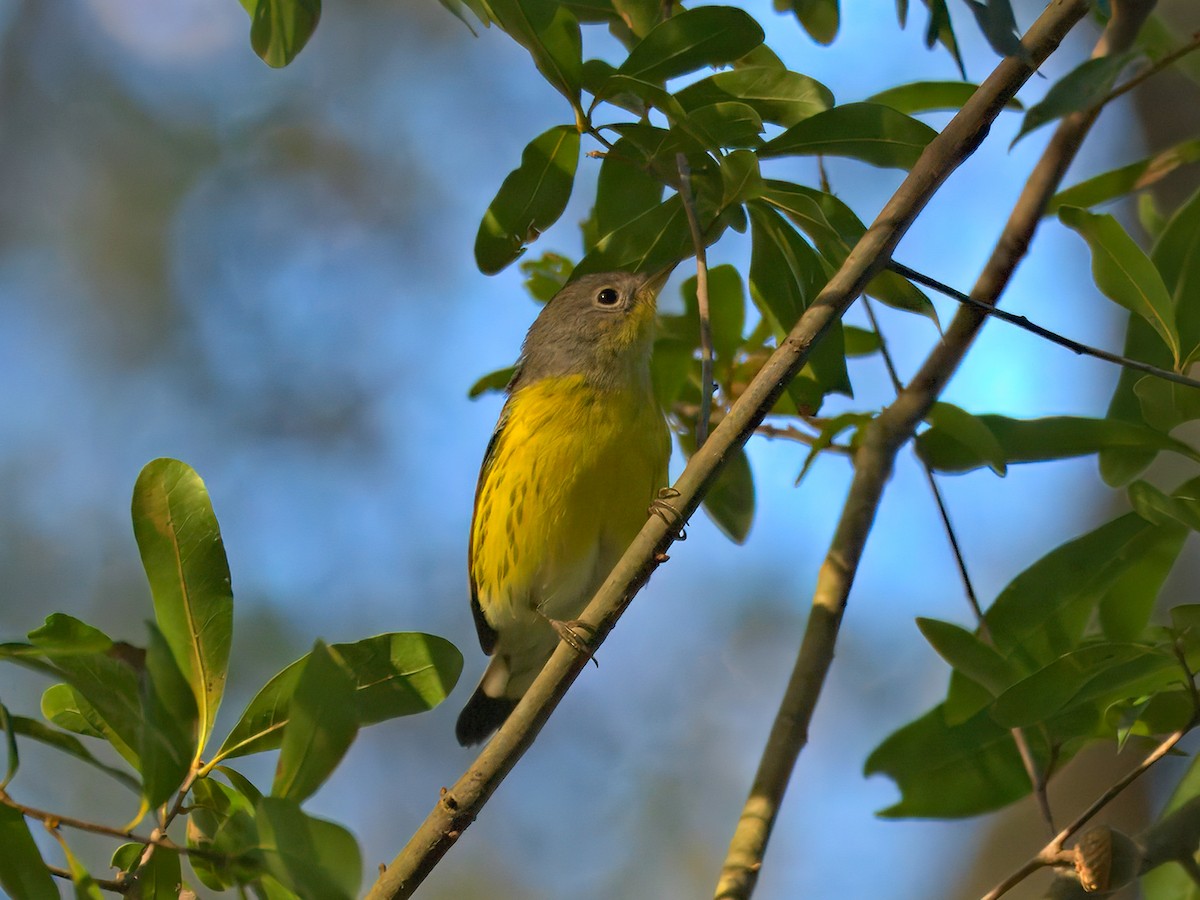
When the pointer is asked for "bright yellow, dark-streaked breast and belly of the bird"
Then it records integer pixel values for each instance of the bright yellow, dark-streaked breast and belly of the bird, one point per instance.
(563, 494)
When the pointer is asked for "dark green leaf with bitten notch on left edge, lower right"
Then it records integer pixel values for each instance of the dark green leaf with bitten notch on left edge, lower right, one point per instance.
(951, 772)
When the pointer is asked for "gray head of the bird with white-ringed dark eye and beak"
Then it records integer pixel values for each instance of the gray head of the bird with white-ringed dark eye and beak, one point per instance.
(601, 327)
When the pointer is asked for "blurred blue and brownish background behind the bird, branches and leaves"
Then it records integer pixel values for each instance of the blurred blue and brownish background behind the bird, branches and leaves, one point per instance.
(269, 275)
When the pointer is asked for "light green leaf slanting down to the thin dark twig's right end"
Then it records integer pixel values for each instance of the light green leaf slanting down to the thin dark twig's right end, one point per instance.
(1125, 274)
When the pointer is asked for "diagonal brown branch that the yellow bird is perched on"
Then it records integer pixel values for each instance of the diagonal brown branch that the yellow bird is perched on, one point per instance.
(460, 805)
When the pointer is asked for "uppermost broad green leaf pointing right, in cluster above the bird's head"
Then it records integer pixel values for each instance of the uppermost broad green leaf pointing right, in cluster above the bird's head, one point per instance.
(691, 40)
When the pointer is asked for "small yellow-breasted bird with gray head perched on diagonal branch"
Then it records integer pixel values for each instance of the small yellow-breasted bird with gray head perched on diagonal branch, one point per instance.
(578, 457)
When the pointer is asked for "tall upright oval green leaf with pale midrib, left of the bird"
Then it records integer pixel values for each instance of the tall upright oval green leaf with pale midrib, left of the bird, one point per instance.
(181, 544)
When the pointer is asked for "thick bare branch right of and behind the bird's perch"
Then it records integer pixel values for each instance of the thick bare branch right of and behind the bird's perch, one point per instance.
(873, 466)
